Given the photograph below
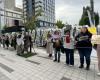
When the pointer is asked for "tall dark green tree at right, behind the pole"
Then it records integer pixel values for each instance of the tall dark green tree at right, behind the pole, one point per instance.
(85, 19)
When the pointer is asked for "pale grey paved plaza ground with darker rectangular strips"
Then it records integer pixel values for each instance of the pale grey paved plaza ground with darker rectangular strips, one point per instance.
(40, 67)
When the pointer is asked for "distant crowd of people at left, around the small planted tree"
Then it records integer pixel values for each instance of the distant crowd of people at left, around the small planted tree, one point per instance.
(20, 42)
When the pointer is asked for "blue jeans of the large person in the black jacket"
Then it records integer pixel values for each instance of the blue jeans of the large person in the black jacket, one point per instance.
(85, 53)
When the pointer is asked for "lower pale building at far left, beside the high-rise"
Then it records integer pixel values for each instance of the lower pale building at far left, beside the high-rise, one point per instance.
(10, 14)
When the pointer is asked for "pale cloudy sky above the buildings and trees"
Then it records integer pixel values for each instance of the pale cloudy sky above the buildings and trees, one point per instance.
(70, 11)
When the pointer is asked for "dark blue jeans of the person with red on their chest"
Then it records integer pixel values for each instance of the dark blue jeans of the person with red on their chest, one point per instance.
(69, 56)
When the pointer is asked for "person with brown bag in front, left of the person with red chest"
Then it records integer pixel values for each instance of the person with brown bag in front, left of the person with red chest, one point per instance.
(57, 46)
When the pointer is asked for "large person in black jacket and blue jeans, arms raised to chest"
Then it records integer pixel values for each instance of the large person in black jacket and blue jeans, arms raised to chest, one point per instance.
(84, 46)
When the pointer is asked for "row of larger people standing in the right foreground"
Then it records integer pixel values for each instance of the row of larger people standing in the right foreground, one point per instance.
(68, 44)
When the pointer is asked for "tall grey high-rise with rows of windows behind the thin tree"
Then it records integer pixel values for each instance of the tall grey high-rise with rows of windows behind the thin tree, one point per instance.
(47, 7)
